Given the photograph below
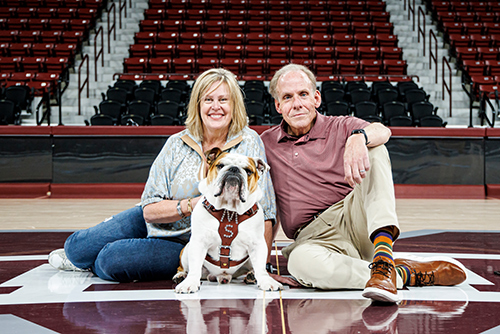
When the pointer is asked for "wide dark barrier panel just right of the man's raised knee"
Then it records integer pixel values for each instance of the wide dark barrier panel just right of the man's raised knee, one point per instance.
(437, 160)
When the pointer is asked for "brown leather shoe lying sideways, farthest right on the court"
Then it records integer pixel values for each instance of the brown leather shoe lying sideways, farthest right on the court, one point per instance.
(434, 270)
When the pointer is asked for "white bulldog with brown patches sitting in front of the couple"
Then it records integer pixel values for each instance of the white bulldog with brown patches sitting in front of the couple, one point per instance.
(227, 225)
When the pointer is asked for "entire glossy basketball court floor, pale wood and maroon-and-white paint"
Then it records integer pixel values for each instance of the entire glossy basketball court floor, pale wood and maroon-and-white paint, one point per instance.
(36, 299)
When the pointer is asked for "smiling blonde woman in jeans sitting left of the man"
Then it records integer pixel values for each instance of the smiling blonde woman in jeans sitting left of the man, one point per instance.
(144, 243)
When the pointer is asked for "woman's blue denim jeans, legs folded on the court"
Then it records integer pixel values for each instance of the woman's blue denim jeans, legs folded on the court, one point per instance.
(118, 249)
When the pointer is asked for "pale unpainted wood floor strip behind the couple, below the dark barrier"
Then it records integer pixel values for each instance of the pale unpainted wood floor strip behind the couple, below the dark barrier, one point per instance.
(72, 214)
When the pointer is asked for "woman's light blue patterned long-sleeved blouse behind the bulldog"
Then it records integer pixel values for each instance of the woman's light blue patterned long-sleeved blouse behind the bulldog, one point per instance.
(178, 169)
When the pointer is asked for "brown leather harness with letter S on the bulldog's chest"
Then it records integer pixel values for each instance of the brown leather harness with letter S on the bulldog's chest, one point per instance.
(228, 230)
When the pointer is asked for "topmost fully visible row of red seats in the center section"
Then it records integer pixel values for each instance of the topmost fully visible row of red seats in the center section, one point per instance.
(379, 15)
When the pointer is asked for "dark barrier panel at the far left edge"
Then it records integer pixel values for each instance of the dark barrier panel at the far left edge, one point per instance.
(25, 159)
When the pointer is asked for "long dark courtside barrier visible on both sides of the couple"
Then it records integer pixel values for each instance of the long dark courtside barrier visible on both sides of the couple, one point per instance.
(126, 158)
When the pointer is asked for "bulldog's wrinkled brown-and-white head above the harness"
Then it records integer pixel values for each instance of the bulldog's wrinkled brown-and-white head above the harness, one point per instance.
(232, 178)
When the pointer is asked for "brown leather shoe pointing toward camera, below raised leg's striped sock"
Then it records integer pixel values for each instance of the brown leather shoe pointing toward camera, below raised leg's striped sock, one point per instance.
(382, 284)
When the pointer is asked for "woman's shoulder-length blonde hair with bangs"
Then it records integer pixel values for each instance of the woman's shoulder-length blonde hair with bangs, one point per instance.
(221, 76)
